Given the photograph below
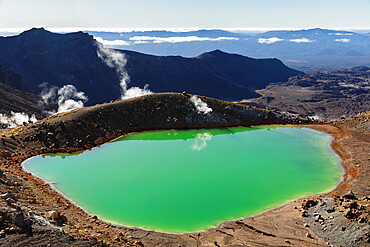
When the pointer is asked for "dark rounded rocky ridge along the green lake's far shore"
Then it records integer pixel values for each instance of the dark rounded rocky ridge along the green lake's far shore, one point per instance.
(87, 127)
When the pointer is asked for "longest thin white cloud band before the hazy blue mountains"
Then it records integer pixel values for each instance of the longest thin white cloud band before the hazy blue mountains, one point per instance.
(178, 39)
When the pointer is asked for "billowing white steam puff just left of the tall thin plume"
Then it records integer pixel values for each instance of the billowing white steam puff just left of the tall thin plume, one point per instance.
(67, 97)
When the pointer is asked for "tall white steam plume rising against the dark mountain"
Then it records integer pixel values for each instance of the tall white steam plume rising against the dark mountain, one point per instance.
(118, 61)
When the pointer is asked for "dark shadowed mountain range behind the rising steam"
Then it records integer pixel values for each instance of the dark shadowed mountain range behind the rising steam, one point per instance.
(40, 56)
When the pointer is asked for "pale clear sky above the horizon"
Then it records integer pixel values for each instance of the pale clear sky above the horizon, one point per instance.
(260, 14)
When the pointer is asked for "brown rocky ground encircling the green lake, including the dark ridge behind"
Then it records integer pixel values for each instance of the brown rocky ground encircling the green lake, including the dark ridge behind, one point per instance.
(33, 214)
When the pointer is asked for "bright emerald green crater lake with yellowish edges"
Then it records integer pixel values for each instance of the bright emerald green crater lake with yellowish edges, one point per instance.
(191, 180)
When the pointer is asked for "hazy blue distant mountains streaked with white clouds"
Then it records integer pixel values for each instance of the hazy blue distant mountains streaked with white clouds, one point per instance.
(302, 49)
